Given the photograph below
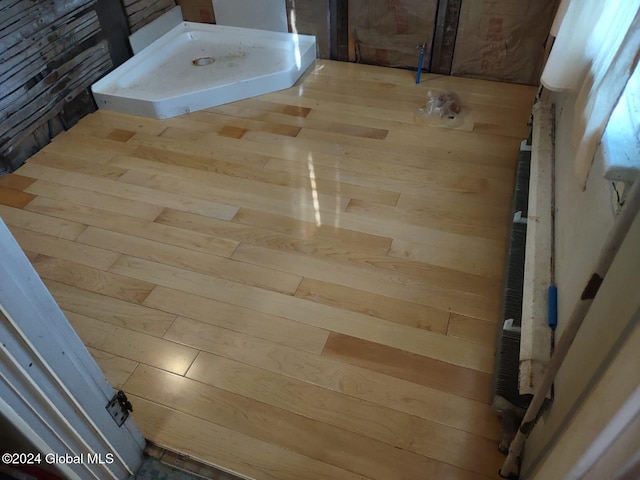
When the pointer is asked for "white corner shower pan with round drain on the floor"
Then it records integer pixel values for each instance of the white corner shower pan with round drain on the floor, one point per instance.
(196, 66)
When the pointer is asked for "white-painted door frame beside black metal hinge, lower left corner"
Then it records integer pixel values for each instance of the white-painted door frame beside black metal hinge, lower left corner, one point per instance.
(51, 389)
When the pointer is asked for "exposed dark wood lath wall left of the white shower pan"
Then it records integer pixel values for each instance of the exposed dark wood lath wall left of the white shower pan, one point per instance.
(49, 54)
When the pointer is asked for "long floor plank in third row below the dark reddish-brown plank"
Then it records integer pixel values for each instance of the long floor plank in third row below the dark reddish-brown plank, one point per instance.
(325, 443)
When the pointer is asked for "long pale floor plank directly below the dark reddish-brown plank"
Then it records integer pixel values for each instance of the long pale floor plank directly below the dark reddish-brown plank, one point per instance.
(431, 404)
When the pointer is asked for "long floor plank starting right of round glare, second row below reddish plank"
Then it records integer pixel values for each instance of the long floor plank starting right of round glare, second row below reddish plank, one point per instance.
(391, 426)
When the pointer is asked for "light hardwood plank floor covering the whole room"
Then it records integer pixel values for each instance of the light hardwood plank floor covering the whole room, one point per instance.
(303, 285)
